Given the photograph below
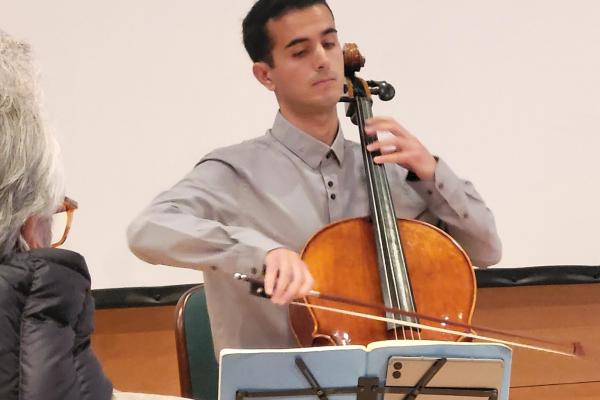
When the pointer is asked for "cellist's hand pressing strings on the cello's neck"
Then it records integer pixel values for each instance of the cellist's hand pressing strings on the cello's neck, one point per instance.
(406, 149)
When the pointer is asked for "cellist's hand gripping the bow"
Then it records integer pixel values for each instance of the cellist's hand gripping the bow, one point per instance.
(286, 276)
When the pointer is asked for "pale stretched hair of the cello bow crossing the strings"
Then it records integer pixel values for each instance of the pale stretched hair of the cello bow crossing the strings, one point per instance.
(436, 329)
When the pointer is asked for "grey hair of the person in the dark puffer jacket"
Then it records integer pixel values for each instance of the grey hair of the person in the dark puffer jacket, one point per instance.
(31, 178)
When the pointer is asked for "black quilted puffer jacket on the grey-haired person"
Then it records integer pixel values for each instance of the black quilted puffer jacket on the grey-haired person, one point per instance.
(46, 320)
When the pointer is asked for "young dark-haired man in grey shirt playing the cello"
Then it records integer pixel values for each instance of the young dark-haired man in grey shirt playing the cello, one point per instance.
(251, 207)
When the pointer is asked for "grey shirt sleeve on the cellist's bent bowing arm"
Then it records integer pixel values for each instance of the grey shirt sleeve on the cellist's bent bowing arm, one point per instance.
(186, 226)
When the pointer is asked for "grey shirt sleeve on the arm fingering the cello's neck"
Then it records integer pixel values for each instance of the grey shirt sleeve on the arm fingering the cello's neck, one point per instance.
(464, 213)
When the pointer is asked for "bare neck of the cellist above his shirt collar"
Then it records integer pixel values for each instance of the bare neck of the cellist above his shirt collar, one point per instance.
(323, 126)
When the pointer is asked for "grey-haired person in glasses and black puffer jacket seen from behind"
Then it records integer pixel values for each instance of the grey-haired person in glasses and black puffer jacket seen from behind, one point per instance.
(46, 307)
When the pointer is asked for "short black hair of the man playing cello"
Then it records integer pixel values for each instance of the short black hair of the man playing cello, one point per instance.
(256, 38)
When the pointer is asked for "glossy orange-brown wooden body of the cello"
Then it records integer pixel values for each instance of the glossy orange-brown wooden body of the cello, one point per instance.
(342, 259)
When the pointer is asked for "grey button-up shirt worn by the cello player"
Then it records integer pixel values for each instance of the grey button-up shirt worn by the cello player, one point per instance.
(275, 191)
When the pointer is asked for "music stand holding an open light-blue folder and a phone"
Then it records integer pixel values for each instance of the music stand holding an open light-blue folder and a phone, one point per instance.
(392, 371)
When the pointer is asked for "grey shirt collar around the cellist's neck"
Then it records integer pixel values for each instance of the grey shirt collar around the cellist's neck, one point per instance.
(304, 146)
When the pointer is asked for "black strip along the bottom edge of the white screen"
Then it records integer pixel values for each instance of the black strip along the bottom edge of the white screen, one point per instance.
(486, 278)
